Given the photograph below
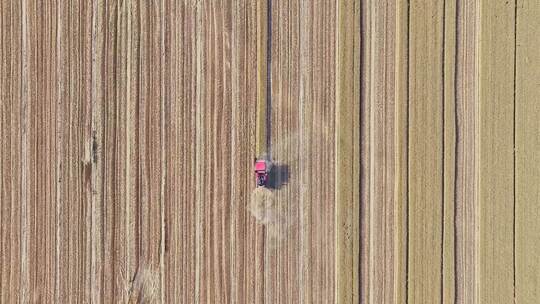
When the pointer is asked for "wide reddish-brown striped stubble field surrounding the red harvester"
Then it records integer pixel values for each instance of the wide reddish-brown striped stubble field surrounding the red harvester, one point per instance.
(128, 135)
